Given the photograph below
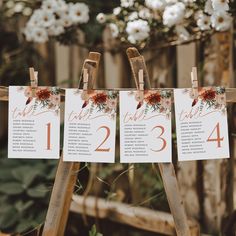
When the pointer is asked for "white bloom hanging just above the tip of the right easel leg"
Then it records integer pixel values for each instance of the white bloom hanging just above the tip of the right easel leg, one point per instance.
(137, 30)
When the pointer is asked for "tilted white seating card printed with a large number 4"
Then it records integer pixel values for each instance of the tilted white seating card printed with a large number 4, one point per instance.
(201, 124)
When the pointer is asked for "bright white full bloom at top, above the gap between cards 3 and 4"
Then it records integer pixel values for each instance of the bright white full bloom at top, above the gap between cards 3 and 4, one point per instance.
(173, 14)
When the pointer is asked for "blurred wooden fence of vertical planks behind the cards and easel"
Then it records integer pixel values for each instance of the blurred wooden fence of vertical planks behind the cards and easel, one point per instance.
(207, 187)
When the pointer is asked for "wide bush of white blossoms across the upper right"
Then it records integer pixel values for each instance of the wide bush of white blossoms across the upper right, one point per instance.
(147, 21)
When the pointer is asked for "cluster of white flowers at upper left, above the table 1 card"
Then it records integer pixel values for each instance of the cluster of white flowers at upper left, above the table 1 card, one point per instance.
(55, 18)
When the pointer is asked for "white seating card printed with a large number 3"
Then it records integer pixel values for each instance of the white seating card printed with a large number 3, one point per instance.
(145, 126)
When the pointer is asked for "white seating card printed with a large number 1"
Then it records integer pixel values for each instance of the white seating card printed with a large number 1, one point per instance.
(34, 123)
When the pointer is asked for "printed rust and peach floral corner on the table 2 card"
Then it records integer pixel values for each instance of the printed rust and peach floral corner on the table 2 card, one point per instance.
(101, 101)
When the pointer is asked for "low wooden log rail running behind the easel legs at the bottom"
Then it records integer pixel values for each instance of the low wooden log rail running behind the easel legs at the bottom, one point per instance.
(138, 217)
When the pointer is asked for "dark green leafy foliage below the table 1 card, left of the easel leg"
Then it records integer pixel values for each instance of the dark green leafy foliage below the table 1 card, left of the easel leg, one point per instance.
(25, 187)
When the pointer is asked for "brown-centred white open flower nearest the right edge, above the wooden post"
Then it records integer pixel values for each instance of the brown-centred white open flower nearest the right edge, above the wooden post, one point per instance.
(221, 21)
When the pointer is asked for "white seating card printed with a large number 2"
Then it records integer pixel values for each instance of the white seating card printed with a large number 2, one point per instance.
(90, 126)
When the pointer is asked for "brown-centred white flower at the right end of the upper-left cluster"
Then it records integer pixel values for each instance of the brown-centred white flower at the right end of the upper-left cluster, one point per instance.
(79, 13)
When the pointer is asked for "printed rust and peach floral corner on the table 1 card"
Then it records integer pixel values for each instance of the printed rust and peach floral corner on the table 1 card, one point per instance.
(45, 97)
